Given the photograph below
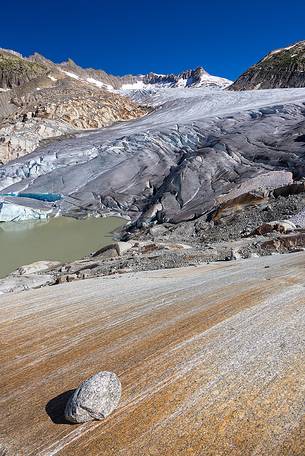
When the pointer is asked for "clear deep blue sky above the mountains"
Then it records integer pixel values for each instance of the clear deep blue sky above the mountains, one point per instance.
(134, 36)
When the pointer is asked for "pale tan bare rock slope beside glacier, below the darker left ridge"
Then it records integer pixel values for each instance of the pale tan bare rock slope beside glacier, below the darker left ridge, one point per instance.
(56, 111)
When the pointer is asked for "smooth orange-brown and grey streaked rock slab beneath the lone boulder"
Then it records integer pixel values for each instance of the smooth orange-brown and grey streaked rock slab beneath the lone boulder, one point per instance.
(211, 361)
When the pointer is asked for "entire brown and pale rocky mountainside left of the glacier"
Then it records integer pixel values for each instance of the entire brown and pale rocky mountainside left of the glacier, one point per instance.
(41, 100)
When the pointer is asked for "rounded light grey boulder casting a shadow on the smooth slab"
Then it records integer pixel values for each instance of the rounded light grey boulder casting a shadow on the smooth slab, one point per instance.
(94, 399)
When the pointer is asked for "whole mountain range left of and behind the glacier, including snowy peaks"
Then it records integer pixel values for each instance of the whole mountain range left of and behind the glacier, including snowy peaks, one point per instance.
(40, 99)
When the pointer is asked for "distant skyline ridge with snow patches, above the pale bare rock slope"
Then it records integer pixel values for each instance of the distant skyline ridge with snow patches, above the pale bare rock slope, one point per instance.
(37, 65)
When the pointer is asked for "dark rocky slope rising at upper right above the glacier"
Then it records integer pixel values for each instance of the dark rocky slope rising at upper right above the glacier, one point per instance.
(282, 68)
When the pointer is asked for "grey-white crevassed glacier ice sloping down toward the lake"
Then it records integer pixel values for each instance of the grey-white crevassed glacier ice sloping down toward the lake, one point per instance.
(196, 144)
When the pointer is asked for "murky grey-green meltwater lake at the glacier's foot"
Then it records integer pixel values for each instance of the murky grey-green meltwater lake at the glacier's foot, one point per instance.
(62, 238)
